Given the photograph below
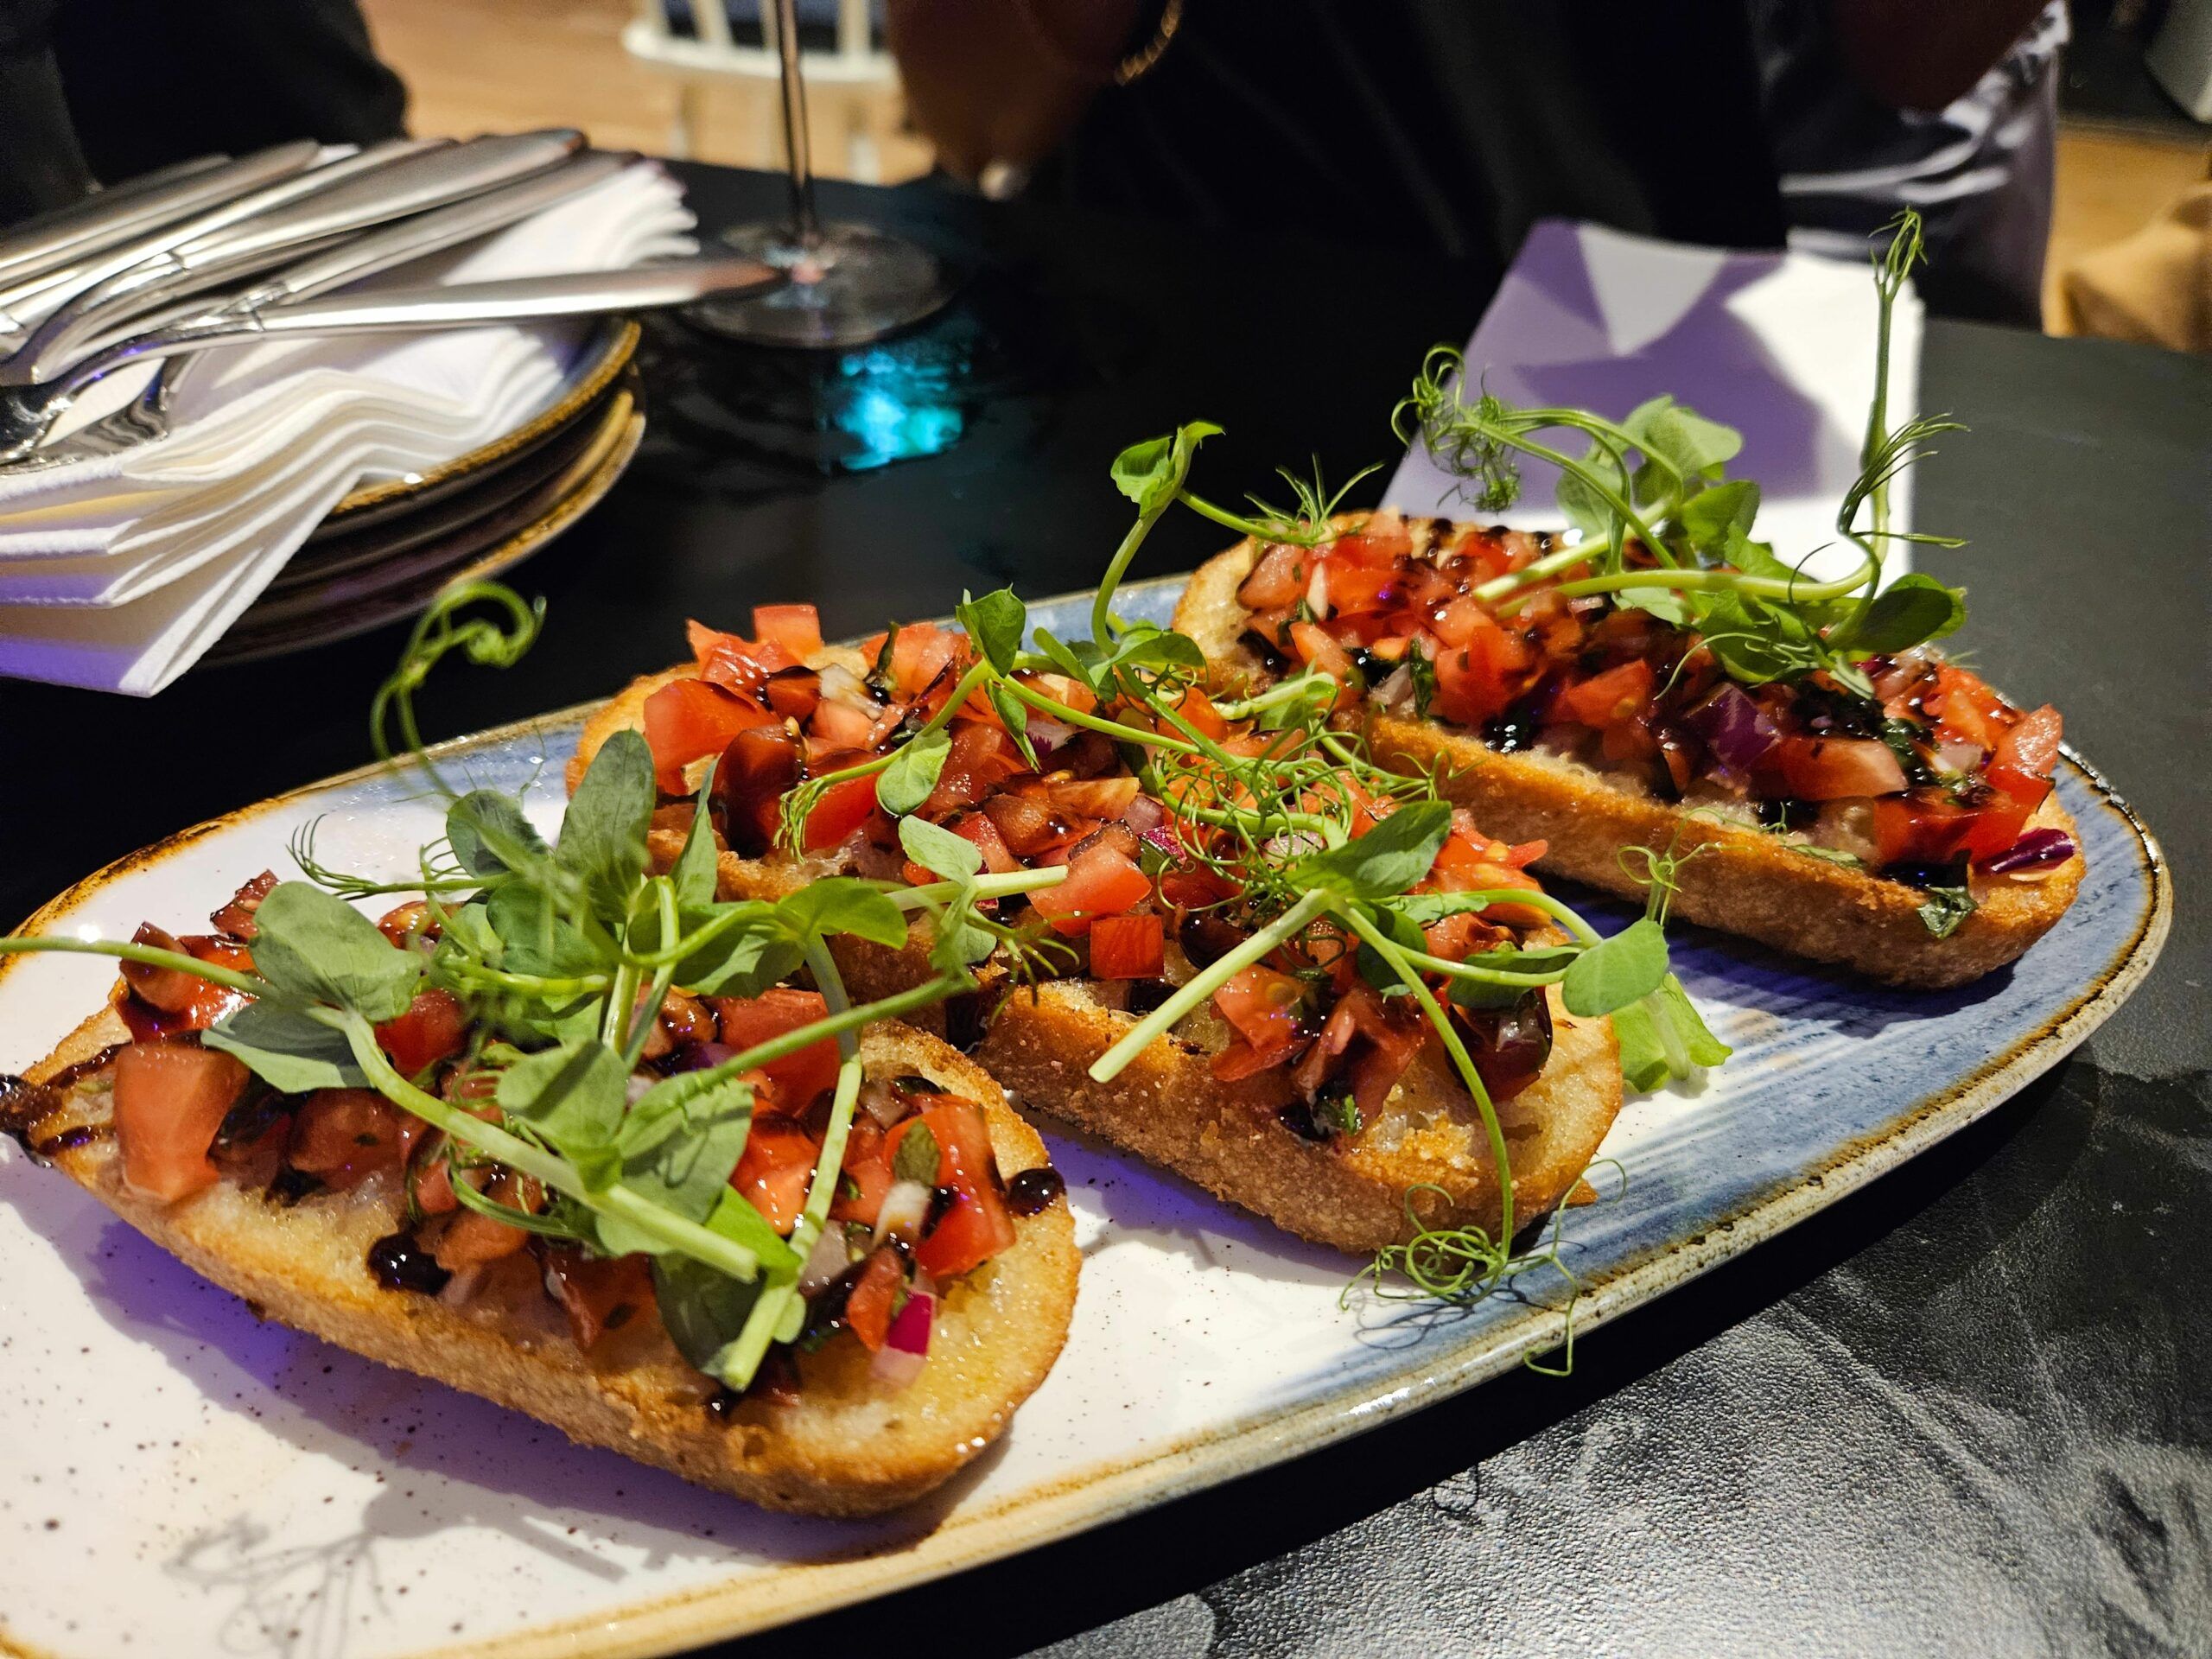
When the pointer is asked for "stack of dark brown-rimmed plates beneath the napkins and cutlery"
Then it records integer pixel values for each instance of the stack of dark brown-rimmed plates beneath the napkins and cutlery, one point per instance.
(390, 545)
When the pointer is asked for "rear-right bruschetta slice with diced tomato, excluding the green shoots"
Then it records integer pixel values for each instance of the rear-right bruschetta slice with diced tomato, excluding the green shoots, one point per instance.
(1910, 835)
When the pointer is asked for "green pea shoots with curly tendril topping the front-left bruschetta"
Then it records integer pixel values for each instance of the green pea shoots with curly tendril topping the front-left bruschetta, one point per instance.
(563, 950)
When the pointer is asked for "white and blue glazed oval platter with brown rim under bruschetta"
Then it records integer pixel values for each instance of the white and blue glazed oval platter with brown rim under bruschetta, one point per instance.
(178, 1477)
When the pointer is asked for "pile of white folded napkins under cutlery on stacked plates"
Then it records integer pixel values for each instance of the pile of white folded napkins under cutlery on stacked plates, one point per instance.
(123, 570)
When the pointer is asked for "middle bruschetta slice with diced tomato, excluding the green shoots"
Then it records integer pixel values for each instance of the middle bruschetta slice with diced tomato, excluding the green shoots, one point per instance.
(1295, 1092)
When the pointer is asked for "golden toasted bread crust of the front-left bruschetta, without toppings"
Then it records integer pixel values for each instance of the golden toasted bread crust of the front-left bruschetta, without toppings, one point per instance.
(848, 1448)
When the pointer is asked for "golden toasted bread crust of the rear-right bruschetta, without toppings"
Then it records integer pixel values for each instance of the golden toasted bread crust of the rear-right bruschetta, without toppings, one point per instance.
(1744, 881)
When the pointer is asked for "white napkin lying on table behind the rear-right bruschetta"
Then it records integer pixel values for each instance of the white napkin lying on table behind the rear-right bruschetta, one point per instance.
(1777, 346)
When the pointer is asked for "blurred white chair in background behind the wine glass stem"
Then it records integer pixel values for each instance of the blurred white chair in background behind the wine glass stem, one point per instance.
(851, 76)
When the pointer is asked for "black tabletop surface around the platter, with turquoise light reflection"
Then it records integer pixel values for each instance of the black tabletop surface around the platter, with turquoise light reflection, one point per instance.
(1963, 1410)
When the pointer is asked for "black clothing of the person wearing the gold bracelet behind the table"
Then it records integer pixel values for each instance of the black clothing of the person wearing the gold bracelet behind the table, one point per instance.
(1441, 127)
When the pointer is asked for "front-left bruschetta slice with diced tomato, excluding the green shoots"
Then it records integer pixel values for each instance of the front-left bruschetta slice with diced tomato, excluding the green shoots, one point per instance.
(930, 1306)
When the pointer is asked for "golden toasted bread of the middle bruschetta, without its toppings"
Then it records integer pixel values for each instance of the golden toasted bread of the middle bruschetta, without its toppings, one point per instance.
(1171, 1109)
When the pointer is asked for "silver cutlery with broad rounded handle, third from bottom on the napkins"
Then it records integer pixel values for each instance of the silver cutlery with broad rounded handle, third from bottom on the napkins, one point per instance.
(373, 187)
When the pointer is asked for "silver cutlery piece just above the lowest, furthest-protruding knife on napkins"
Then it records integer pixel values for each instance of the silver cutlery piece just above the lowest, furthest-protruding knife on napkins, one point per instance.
(147, 415)
